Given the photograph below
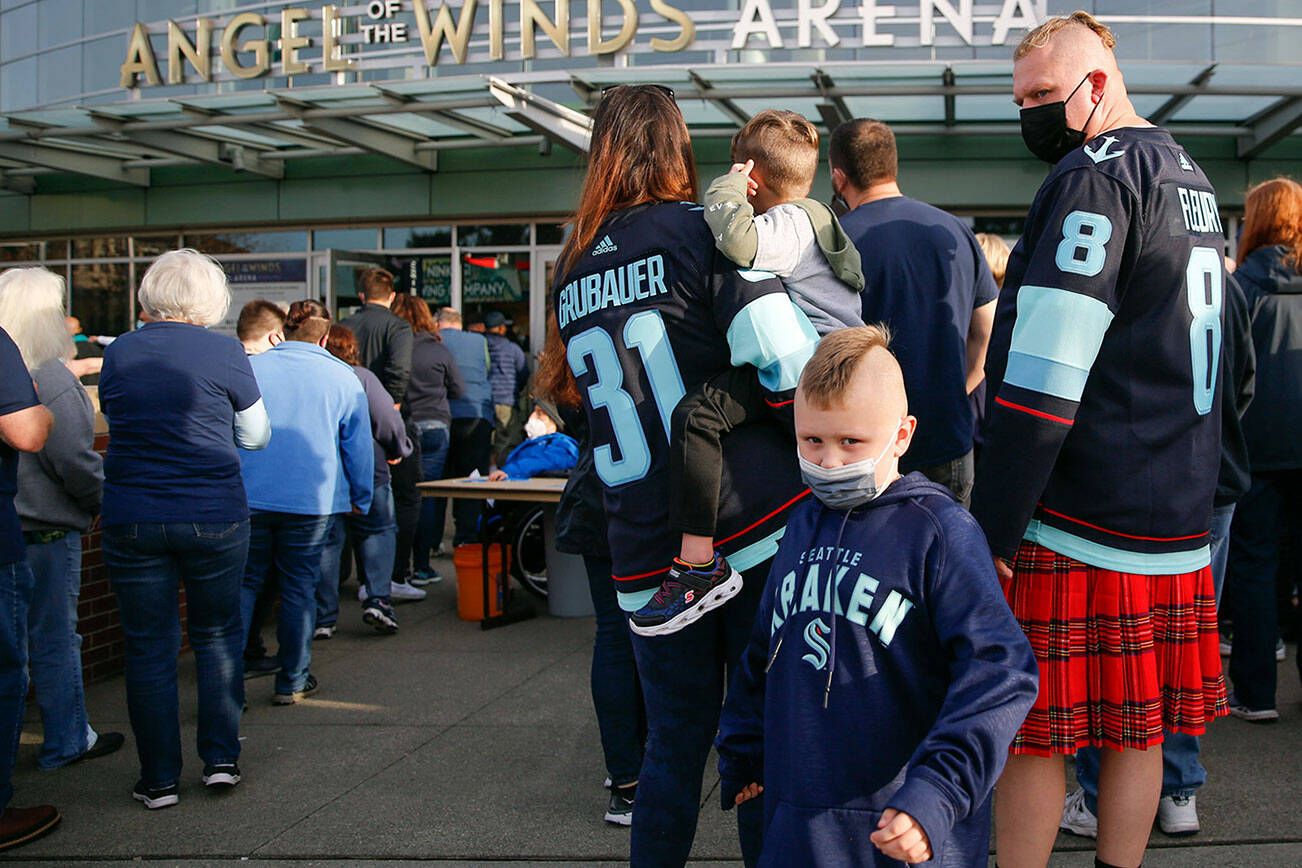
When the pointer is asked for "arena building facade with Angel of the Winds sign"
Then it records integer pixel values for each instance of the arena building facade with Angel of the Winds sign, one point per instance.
(301, 142)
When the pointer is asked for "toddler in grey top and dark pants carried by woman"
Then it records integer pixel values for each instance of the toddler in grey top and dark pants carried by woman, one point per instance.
(761, 218)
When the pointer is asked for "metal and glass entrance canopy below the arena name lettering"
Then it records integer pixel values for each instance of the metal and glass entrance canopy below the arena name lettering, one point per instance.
(411, 122)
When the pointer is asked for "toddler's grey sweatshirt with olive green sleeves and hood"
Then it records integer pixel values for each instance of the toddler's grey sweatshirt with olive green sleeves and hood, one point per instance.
(818, 265)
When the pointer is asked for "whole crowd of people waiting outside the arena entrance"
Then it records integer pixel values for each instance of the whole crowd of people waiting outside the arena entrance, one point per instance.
(1120, 502)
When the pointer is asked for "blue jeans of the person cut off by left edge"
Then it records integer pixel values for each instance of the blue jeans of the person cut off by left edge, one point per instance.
(16, 589)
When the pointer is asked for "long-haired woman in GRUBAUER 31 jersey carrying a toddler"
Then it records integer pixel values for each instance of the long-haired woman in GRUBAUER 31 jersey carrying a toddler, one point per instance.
(648, 312)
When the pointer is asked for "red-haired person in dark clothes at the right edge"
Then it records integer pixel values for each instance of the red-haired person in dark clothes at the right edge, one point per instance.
(1270, 273)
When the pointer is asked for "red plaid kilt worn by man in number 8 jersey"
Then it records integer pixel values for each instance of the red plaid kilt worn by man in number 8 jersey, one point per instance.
(1122, 655)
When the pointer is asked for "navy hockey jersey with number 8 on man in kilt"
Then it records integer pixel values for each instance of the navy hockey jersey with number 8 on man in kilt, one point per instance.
(1103, 442)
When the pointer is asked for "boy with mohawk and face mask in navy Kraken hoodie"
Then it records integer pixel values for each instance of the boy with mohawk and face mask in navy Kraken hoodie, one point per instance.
(886, 676)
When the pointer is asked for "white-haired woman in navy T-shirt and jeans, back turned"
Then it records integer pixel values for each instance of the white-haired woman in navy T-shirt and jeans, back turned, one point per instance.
(179, 399)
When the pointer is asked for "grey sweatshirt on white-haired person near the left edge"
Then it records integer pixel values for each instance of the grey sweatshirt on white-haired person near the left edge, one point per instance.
(61, 487)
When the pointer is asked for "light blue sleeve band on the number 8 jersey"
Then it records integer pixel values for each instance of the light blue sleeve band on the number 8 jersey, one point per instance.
(1057, 339)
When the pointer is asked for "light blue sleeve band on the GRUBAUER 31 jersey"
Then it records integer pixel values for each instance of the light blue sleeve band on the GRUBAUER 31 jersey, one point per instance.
(777, 338)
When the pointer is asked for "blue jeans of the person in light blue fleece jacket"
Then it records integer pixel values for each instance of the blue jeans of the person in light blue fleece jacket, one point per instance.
(292, 546)
